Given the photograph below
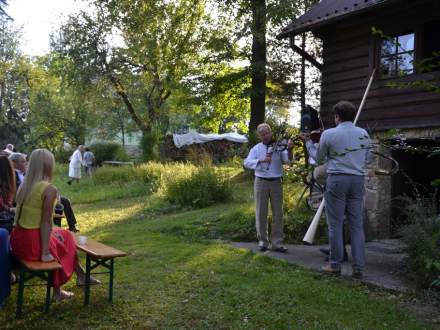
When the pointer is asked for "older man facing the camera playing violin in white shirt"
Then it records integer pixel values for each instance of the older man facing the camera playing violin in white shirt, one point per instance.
(268, 166)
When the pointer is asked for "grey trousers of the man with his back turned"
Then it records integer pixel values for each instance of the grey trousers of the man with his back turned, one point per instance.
(344, 196)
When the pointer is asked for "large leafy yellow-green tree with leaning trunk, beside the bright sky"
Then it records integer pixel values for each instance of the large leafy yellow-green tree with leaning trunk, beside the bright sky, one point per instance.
(158, 44)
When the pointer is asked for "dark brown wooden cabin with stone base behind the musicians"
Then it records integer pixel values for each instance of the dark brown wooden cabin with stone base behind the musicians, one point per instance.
(395, 37)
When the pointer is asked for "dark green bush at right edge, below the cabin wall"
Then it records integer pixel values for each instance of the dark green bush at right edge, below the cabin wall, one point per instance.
(422, 243)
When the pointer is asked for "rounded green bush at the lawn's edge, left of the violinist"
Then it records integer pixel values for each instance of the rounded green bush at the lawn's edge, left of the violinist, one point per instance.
(200, 189)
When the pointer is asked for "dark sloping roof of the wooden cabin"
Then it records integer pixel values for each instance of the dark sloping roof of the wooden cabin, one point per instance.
(327, 11)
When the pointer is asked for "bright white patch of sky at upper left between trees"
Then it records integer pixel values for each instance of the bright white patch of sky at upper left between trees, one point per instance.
(38, 19)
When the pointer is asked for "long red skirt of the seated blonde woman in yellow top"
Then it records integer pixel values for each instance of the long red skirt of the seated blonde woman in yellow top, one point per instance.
(26, 244)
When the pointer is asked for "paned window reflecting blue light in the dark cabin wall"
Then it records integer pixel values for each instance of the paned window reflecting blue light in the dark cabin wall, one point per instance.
(397, 56)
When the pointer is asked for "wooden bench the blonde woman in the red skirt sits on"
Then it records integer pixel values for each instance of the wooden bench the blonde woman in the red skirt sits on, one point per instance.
(31, 269)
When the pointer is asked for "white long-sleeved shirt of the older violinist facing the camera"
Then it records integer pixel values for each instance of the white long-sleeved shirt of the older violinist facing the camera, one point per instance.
(265, 170)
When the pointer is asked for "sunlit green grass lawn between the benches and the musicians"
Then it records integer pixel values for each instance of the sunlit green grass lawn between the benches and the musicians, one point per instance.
(176, 278)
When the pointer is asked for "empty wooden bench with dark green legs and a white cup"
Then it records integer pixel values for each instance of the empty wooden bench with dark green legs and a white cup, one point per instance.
(98, 254)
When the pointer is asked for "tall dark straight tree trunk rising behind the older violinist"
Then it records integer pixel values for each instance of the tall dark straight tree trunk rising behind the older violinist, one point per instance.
(258, 64)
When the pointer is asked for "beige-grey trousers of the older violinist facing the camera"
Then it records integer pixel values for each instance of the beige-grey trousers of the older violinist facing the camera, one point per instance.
(264, 191)
